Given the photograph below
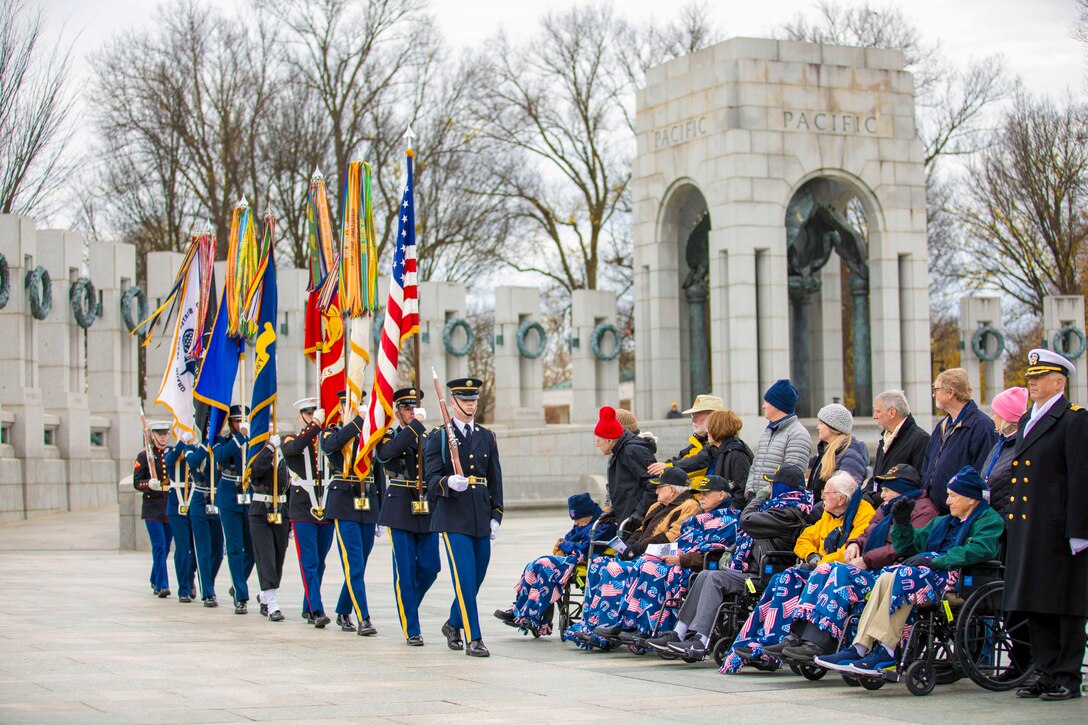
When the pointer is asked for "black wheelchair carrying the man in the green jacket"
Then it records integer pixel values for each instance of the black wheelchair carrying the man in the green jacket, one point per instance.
(965, 634)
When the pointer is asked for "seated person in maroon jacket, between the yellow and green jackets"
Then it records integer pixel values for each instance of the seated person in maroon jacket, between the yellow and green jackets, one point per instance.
(836, 592)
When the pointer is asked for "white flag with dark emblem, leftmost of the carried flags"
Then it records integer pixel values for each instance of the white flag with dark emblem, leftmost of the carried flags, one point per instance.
(178, 379)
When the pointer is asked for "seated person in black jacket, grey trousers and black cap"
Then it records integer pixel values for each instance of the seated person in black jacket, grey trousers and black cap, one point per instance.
(765, 525)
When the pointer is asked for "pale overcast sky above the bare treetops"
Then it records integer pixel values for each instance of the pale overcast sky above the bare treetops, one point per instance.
(1033, 34)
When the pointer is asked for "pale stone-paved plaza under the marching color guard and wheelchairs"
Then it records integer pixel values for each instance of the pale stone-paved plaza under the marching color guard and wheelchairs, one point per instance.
(83, 641)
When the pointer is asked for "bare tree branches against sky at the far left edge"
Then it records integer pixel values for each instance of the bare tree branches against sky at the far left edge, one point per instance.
(35, 106)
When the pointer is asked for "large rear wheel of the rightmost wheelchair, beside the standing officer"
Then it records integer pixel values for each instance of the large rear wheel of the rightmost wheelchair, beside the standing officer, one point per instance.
(986, 641)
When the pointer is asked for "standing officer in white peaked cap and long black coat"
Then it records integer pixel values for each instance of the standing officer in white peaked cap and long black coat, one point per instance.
(1047, 525)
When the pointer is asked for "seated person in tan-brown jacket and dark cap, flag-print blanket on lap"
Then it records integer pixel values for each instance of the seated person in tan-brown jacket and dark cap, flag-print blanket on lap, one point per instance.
(615, 596)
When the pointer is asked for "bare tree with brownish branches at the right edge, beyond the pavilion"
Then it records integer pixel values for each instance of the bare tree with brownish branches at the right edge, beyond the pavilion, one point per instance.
(1027, 206)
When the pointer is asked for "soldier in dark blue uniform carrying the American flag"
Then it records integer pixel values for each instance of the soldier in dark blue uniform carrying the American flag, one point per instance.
(416, 562)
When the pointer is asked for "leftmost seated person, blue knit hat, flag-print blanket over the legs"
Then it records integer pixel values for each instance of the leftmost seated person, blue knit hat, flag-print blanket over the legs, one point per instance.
(543, 580)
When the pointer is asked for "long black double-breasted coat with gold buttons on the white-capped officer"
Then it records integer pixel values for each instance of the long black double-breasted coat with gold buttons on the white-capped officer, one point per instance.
(1050, 488)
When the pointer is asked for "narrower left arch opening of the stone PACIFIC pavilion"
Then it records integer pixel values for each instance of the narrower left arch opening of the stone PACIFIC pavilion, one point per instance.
(684, 228)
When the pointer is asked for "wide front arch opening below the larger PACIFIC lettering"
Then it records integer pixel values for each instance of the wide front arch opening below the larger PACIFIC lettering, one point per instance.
(834, 224)
